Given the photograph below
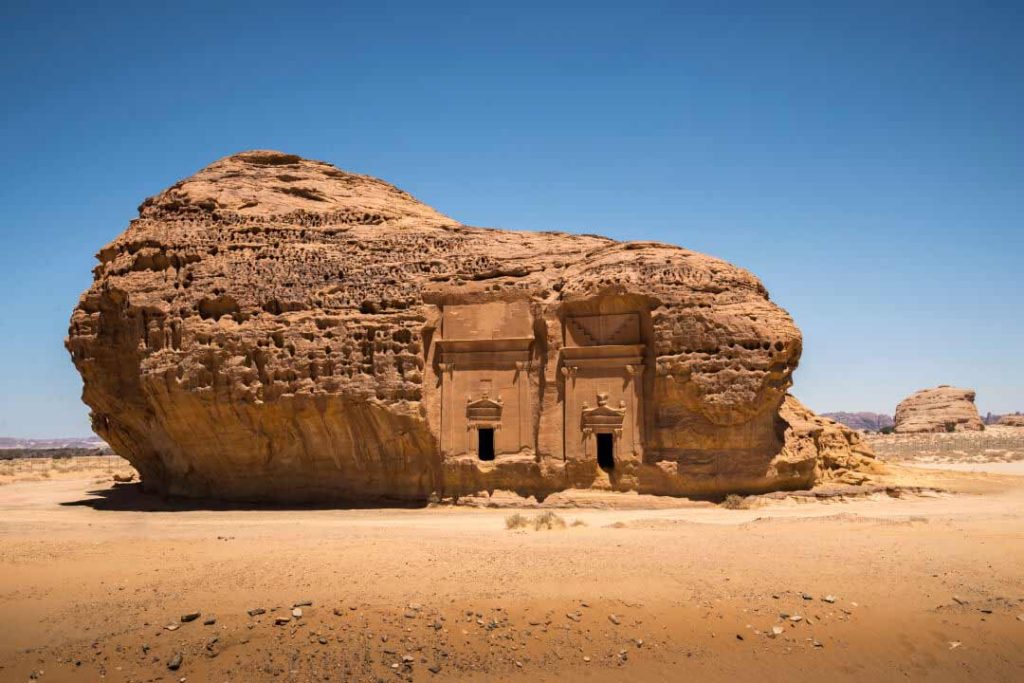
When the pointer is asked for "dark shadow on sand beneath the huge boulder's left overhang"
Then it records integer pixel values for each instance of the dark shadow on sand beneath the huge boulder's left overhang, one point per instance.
(132, 498)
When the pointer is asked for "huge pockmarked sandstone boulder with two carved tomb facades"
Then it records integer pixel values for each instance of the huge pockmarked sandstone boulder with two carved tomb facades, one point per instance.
(277, 329)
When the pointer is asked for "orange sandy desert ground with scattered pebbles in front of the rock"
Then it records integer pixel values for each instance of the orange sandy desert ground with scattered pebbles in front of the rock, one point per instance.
(97, 577)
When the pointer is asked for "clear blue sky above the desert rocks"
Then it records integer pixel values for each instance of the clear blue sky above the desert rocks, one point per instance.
(866, 159)
